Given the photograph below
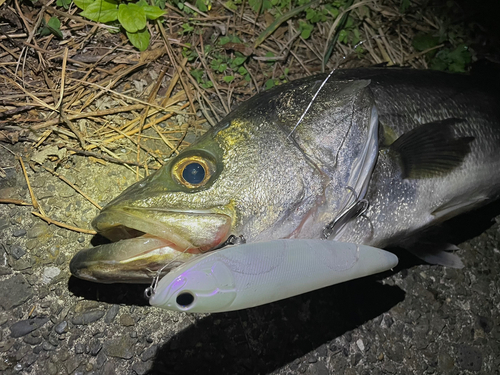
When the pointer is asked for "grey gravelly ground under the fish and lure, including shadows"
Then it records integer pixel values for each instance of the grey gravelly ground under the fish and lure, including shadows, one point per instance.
(418, 319)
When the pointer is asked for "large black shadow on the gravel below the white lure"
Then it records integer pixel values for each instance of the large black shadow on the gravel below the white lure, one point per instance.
(265, 338)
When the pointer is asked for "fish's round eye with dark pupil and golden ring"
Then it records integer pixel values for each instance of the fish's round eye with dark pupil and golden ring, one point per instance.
(193, 171)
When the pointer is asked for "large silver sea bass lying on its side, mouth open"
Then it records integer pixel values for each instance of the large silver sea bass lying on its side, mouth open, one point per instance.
(369, 156)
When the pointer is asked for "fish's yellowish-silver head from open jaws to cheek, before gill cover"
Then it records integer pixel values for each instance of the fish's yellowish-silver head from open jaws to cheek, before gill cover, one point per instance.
(243, 178)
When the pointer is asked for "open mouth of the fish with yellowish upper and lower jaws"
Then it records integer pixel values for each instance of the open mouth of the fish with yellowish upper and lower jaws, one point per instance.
(147, 241)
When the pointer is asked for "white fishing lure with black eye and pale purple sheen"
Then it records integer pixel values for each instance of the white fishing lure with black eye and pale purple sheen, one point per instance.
(249, 275)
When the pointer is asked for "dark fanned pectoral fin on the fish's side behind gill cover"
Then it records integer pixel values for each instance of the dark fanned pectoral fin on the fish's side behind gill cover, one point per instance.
(431, 149)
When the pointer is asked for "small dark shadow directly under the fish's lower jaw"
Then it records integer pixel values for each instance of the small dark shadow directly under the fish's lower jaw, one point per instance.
(129, 294)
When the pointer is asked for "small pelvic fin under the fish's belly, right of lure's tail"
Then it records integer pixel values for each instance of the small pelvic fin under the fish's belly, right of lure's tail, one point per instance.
(439, 254)
